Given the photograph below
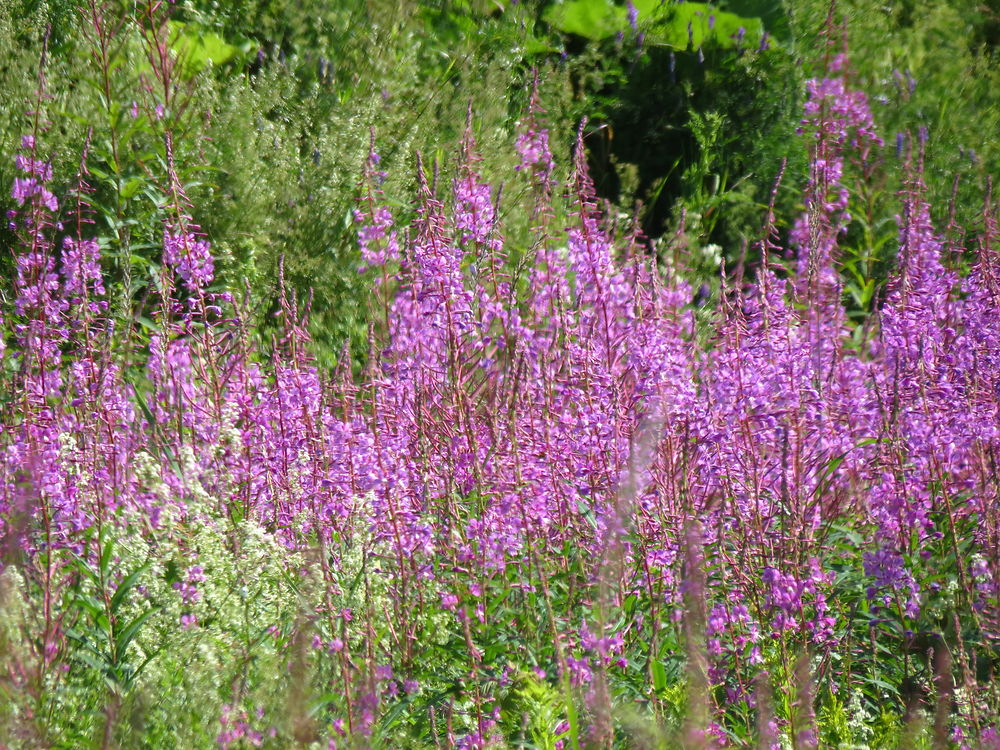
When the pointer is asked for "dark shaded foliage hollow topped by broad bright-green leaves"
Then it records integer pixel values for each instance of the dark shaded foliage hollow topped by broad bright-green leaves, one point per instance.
(689, 114)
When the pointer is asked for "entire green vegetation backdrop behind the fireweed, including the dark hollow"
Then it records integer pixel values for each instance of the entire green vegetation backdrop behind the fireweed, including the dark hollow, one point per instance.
(280, 97)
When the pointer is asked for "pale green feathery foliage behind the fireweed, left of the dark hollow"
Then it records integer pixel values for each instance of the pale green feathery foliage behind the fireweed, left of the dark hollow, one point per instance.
(268, 146)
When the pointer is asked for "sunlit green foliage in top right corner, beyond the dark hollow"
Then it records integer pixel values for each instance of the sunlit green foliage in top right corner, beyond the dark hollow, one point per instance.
(926, 64)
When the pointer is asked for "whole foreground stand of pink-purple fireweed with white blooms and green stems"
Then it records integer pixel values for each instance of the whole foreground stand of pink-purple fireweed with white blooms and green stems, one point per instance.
(552, 512)
